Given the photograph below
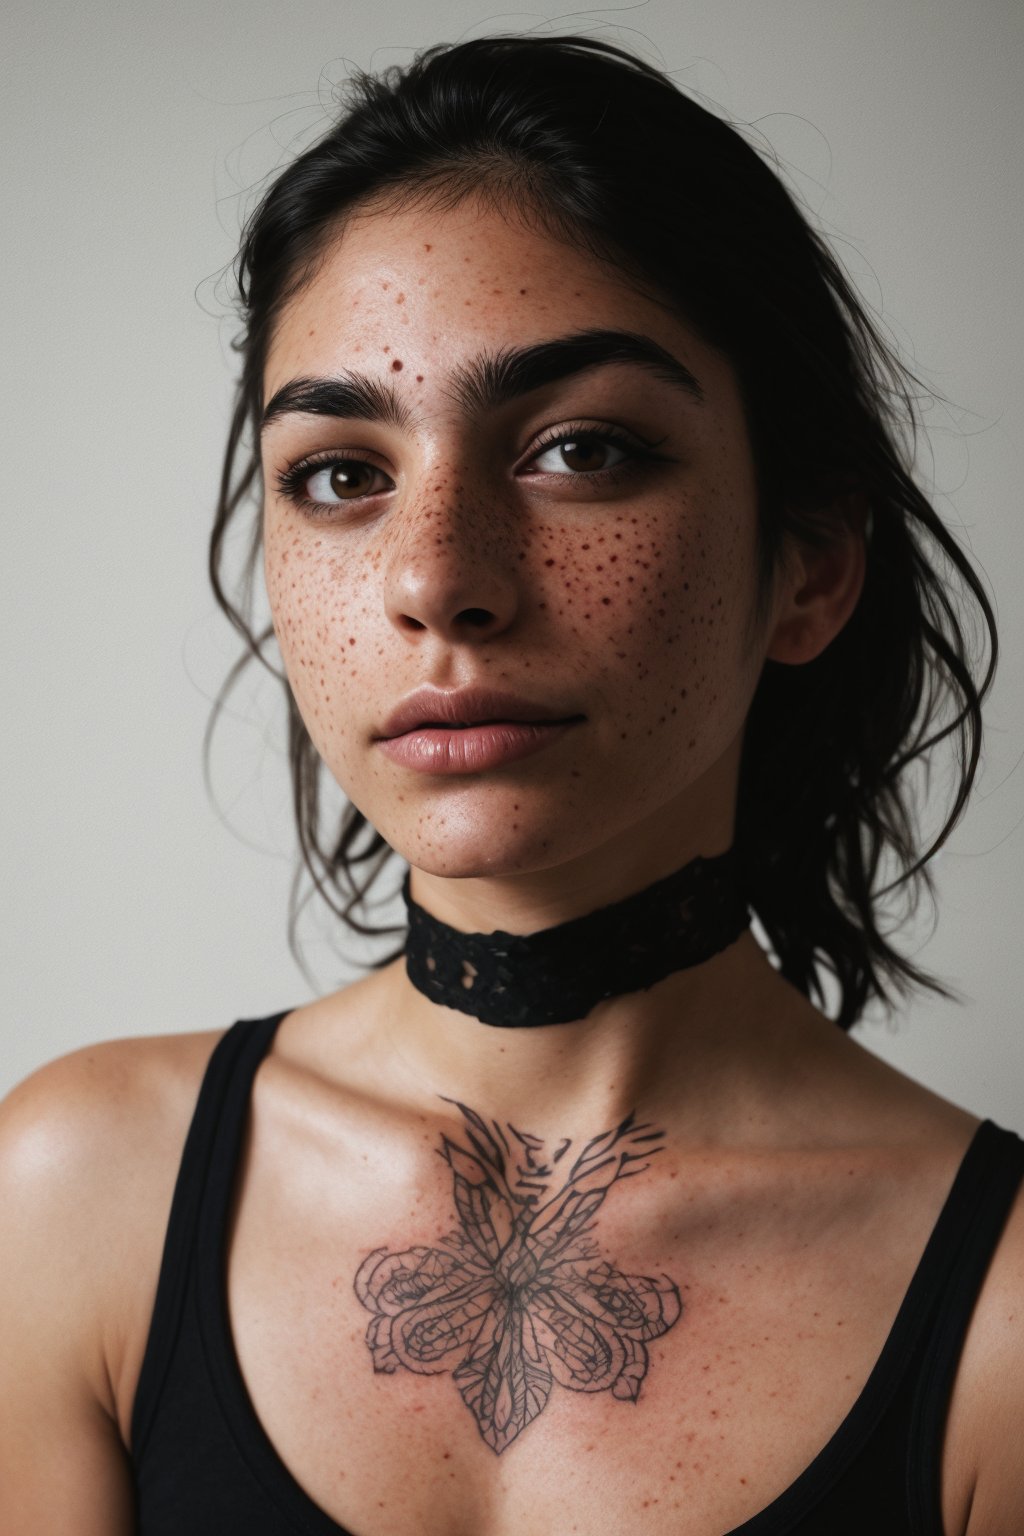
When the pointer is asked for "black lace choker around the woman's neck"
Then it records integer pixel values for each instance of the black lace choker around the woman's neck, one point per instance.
(560, 975)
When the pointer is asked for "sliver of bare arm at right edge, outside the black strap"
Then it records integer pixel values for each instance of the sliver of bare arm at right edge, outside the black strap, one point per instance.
(988, 1403)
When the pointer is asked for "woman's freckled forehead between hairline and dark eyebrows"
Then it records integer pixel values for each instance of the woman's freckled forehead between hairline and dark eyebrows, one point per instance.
(421, 291)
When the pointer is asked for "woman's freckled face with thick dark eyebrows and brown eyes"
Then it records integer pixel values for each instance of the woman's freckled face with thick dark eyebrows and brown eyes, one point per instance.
(492, 465)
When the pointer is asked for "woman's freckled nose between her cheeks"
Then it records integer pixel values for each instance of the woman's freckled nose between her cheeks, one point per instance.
(452, 572)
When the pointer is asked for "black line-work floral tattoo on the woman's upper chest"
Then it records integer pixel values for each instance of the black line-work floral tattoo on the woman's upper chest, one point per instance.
(518, 1296)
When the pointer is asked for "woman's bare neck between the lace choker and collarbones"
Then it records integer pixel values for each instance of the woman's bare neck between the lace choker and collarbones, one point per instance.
(695, 1050)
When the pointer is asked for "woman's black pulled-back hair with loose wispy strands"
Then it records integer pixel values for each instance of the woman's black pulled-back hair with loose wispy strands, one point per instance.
(589, 144)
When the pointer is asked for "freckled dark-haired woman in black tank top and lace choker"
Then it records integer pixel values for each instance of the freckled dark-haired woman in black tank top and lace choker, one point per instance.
(606, 595)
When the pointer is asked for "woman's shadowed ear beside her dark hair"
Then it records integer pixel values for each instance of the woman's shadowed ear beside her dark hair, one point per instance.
(821, 588)
